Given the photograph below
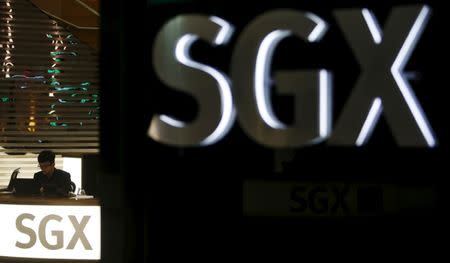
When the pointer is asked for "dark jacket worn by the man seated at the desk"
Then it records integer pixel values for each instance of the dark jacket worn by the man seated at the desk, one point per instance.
(58, 184)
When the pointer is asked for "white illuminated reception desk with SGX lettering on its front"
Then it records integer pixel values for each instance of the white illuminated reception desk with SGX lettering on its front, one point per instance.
(44, 229)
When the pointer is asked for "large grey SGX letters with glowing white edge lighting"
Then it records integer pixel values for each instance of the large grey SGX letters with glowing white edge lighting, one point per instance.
(381, 87)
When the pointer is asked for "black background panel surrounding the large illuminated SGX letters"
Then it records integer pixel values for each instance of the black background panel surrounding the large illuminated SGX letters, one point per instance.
(165, 204)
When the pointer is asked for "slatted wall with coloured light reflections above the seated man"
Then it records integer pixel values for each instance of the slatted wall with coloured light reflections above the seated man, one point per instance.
(48, 85)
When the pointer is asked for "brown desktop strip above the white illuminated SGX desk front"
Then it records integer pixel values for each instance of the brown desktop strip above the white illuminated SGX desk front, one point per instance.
(41, 200)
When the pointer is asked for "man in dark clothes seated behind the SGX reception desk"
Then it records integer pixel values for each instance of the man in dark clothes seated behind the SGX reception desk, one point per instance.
(52, 181)
